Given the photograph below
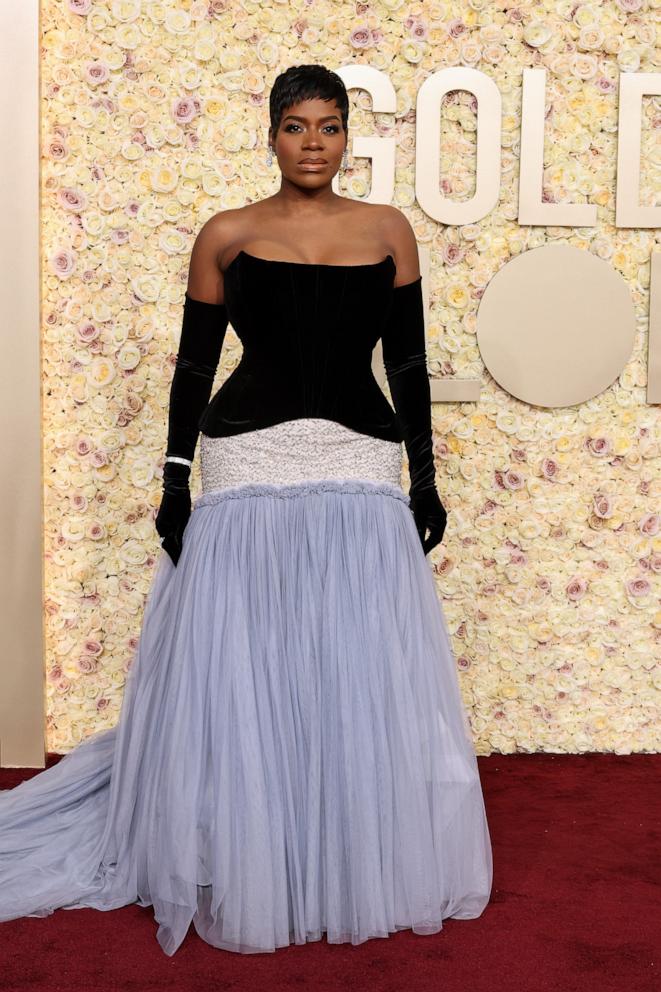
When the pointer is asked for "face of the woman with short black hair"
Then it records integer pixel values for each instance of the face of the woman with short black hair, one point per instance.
(311, 129)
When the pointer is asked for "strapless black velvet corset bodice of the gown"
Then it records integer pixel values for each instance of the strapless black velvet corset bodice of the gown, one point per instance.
(308, 331)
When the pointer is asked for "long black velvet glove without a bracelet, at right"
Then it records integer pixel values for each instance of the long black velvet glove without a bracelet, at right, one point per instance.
(405, 361)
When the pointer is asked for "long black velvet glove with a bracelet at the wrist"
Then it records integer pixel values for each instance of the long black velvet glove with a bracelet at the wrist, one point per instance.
(202, 335)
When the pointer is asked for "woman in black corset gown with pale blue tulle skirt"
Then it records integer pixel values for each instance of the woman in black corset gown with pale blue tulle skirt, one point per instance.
(292, 756)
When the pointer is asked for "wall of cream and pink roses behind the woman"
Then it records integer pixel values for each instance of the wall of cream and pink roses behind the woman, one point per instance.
(154, 117)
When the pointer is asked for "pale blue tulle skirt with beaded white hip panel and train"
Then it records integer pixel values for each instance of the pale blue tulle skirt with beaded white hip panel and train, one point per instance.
(292, 756)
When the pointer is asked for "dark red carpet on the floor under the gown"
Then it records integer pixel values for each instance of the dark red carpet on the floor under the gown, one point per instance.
(576, 906)
